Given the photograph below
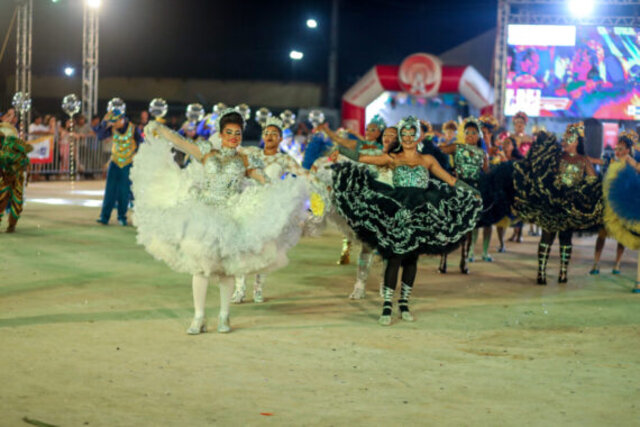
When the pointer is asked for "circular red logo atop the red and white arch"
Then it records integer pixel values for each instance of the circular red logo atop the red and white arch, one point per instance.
(420, 74)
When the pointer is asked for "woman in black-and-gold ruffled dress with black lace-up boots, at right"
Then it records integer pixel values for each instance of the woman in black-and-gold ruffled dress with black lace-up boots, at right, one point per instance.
(557, 188)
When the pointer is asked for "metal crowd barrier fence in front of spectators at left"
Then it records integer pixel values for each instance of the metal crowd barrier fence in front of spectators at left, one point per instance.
(91, 158)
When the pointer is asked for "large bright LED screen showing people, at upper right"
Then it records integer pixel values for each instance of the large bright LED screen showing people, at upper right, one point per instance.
(573, 72)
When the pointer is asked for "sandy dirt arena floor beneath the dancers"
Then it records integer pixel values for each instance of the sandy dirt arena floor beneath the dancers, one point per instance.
(92, 332)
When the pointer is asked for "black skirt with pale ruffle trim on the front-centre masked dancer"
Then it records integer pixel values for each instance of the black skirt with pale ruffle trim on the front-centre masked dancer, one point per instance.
(406, 220)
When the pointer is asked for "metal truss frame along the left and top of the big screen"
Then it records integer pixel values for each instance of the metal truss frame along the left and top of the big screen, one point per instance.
(529, 12)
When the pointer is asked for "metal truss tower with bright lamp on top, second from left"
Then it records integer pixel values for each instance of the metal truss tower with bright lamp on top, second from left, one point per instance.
(90, 33)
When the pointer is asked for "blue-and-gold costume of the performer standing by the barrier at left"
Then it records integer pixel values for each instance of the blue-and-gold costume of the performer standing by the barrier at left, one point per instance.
(118, 188)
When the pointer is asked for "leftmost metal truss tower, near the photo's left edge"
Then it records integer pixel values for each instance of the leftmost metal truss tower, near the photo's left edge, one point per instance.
(23, 49)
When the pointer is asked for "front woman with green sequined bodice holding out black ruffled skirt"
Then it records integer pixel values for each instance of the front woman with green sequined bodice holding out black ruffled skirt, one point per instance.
(415, 215)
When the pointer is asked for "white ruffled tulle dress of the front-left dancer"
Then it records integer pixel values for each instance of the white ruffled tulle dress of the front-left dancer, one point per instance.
(205, 220)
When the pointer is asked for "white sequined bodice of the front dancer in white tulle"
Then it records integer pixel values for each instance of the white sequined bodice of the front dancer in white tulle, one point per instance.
(225, 172)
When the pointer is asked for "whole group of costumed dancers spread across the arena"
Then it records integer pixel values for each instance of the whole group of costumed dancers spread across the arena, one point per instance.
(229, 212)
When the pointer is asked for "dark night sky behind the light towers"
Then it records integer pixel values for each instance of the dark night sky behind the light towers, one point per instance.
(232, 39)
